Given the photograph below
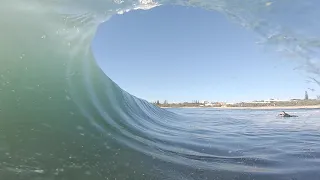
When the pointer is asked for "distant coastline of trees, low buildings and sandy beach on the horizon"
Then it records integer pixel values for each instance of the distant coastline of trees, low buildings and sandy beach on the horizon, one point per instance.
(271, 103)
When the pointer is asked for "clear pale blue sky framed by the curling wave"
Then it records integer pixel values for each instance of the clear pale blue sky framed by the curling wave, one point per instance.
(183, 54)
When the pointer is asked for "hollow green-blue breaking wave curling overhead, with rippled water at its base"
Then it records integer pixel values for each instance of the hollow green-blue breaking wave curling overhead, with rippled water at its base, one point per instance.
(61, 117)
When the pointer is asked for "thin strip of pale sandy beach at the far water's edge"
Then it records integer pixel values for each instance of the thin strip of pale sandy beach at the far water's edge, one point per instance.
(256, 108)
